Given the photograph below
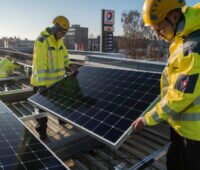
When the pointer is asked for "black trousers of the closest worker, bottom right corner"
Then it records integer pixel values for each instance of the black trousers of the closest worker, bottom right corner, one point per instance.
(183, 154)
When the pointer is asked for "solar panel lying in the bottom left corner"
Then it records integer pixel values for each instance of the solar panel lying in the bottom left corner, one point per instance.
(19, 148)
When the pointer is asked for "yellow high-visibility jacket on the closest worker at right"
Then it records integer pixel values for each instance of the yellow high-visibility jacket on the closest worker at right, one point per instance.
(180, 81)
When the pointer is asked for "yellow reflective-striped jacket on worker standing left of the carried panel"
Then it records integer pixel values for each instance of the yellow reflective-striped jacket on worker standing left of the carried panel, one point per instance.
(50, 57)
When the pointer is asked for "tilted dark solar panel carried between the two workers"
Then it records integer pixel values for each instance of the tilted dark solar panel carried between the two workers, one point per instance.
(103, 102)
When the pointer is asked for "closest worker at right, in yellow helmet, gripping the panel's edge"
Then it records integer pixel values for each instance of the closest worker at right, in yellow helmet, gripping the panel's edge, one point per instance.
(180, 82)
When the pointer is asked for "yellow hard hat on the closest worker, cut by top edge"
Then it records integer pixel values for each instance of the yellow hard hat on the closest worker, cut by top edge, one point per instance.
(154, 11)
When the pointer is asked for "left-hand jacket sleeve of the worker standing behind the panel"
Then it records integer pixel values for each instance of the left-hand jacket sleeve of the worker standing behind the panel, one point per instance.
(40, 61)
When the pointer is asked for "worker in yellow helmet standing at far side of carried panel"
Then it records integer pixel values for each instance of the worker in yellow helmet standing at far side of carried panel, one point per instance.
(50, 60)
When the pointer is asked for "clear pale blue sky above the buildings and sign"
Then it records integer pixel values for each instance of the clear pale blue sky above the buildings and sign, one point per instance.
(27, 18)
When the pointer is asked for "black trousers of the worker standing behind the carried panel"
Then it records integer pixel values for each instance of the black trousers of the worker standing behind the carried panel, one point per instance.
(42, 122)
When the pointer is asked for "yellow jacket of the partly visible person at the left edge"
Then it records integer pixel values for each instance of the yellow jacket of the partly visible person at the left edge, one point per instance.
(6, 67)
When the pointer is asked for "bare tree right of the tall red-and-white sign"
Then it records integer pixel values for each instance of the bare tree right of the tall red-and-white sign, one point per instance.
(140, 41)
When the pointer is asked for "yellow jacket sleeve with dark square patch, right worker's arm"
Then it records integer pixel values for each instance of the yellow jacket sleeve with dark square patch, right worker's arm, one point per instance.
(183, 90)
